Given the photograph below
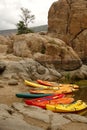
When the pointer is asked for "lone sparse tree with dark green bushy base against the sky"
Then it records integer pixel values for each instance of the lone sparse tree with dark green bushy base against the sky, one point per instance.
(26, 18)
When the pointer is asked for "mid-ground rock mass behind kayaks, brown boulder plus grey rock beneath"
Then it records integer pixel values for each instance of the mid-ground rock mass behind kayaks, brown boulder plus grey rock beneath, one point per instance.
(34, 56)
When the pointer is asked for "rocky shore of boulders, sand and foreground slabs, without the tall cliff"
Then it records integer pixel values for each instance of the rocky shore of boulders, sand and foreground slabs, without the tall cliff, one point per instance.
(21, 59)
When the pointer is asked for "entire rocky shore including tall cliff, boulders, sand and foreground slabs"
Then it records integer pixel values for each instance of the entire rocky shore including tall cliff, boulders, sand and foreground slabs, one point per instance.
(44, 56)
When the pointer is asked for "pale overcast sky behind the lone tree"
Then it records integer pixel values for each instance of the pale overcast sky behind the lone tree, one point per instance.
(10, 12)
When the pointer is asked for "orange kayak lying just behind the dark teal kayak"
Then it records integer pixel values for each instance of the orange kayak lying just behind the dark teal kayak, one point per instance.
(61, 90)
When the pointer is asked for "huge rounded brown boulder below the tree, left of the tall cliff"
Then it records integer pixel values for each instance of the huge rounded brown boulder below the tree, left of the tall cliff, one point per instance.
(46, 50)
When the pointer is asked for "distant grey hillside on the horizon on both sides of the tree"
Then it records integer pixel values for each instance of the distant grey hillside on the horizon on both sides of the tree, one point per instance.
(14, 31)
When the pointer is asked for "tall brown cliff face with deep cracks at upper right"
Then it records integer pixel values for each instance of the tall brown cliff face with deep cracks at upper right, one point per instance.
(67, 20)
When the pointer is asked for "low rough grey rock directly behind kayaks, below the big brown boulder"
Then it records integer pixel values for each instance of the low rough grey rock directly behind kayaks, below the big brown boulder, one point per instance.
(28, 69)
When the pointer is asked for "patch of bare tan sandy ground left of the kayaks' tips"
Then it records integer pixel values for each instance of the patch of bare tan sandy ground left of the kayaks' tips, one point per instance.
(8, 92)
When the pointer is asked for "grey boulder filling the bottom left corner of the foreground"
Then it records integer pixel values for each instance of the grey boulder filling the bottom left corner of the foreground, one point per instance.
(11, 120)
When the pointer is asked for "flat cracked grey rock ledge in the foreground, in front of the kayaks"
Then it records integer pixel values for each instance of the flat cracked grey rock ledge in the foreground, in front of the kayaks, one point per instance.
(20, 116)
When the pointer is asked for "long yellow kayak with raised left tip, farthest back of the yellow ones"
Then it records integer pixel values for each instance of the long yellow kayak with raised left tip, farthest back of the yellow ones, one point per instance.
(60, 86)
